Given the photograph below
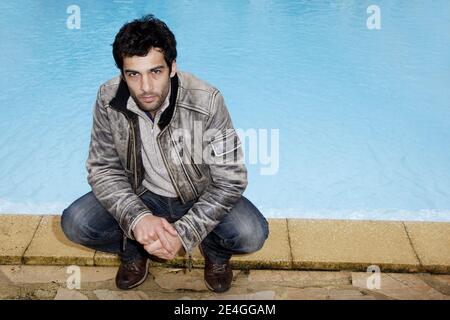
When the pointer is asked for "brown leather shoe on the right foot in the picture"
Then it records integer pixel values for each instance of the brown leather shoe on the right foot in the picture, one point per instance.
(218, 276)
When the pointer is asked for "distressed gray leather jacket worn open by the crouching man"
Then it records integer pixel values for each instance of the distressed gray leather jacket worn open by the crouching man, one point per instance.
(115, 166)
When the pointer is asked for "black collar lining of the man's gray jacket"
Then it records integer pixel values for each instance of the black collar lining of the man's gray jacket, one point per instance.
(119, 102)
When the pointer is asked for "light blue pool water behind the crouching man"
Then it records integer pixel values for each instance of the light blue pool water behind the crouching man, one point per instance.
(363, 115)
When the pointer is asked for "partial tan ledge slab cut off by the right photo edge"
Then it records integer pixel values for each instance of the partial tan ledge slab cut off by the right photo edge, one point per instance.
(431, 241)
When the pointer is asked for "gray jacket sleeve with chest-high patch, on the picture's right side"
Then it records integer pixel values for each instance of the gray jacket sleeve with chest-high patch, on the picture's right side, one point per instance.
(228, 179)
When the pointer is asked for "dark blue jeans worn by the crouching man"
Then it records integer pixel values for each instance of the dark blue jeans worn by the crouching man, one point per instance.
(243, 230)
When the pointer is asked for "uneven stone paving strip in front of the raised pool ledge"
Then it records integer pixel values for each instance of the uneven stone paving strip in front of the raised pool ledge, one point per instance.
(49, 282)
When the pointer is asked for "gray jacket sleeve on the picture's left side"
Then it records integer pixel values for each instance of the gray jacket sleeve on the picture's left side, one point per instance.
(106, 175)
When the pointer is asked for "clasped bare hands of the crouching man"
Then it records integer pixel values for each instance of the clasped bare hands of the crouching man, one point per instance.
(158, 237)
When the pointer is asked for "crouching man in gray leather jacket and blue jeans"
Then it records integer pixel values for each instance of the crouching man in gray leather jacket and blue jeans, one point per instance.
(165, 167)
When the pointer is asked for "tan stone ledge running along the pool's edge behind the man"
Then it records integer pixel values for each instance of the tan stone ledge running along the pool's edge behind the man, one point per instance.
(292, 244)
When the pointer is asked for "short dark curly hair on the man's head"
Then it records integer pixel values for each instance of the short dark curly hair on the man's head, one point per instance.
(136, 38)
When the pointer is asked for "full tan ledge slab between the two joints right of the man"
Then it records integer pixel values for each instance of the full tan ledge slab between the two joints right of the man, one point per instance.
(351, 245)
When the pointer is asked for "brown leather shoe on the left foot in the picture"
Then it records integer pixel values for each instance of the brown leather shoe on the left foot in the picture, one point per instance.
(131, 274)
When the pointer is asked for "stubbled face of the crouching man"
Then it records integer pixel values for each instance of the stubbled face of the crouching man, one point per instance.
(148, 79)
